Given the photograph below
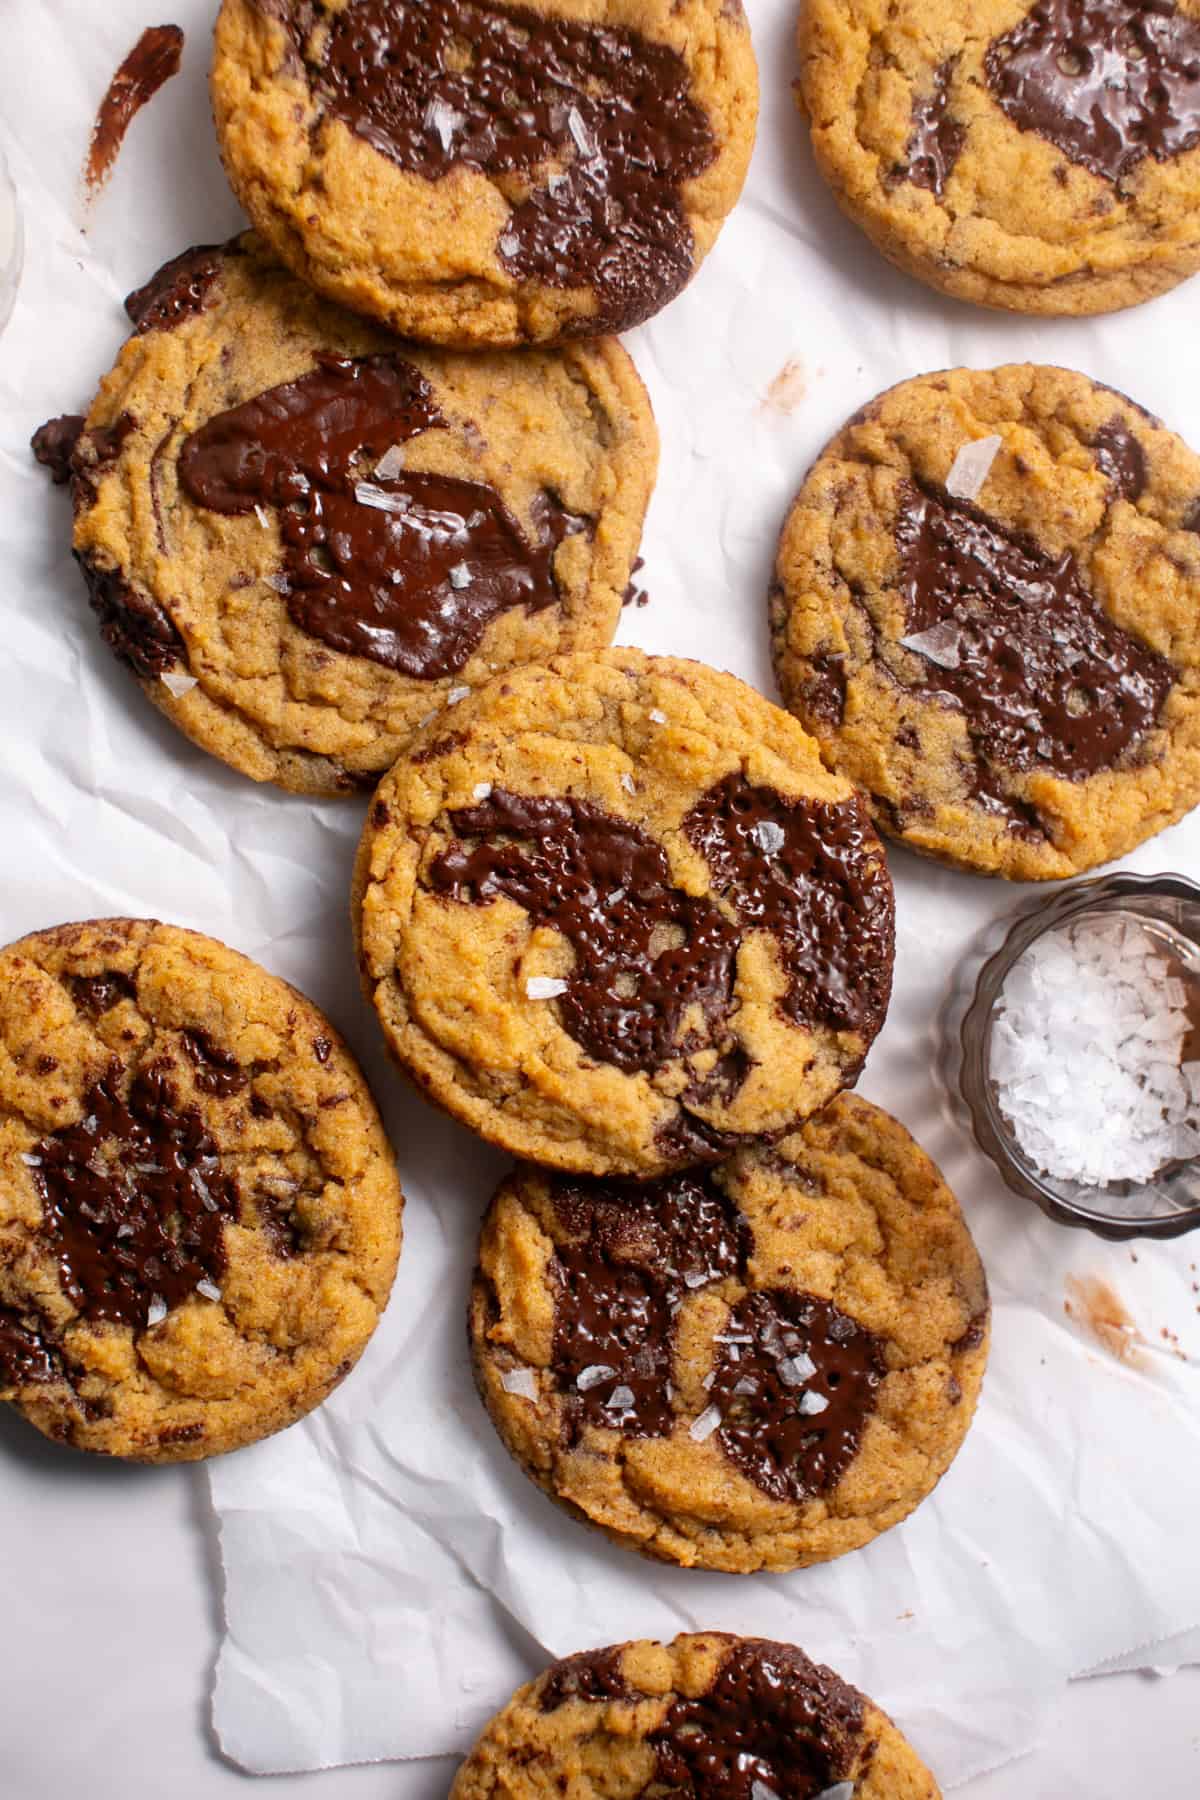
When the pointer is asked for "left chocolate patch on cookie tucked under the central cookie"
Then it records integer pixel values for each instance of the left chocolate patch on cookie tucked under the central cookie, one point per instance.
(636, 1250)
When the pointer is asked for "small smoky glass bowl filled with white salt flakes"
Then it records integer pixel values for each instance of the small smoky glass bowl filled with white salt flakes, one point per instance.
(1080, 1056)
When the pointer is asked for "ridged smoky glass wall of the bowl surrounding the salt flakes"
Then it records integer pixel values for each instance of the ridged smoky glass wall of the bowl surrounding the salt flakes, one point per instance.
(1169, 906)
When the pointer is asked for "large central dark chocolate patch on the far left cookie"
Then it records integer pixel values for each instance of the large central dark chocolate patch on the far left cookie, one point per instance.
(136, 1200)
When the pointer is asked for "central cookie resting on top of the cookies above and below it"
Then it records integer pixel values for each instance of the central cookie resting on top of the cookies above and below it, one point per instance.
(616, 917)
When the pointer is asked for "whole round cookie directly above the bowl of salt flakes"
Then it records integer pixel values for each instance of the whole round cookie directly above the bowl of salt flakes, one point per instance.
(987, 607)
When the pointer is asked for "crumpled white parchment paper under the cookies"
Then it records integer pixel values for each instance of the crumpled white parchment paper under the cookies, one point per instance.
(390, 1576)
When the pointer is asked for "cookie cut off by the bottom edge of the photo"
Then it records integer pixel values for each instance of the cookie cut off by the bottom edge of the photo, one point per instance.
(710, 1716)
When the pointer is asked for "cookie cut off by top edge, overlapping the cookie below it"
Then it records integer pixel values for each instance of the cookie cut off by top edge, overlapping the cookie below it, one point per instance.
(481, 174)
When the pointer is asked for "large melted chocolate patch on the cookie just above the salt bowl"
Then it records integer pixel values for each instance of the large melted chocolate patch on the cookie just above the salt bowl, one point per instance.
(1043, 676)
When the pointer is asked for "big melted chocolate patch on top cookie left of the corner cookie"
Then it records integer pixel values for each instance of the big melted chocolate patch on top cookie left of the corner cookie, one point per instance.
(598, 118)
